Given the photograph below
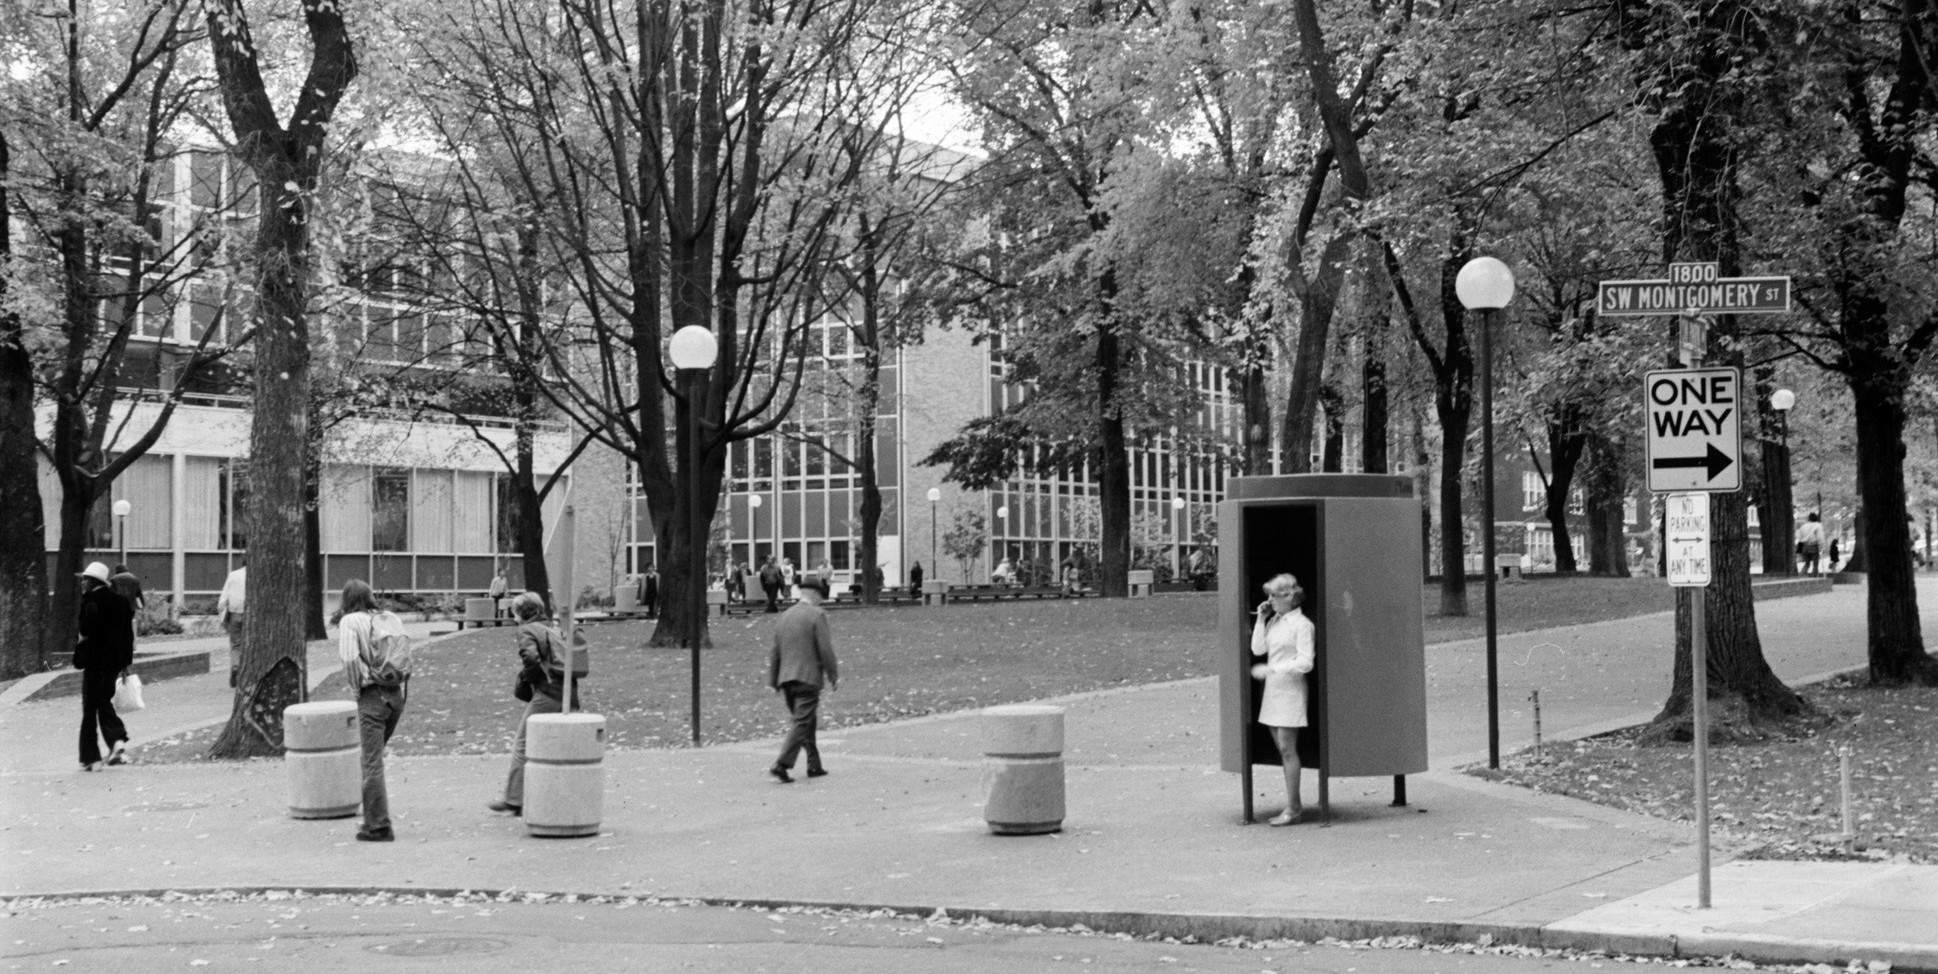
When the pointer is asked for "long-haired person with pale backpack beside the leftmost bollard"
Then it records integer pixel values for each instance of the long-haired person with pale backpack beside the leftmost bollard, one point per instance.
(377, 661)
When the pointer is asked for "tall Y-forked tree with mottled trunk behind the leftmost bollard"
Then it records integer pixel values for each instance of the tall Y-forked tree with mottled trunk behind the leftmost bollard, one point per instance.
(288, 164)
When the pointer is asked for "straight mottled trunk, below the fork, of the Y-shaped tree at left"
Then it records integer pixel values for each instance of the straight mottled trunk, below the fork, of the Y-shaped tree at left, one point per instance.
(274, 650)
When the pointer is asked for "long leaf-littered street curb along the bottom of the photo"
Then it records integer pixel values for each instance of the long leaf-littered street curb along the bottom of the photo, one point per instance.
(1193, 928)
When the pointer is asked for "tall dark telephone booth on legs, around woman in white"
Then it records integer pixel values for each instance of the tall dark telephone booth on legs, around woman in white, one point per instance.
(1354, 543)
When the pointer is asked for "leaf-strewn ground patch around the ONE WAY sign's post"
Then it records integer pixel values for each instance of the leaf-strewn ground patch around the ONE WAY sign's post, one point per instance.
(1780, 797)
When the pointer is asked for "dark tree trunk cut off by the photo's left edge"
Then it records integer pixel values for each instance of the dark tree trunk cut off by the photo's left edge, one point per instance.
(22, 520)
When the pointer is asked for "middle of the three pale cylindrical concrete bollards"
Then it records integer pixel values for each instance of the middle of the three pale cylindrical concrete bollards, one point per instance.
(565, 774)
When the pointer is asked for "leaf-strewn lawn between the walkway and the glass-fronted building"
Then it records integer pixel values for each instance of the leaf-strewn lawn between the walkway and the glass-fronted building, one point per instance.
(896, 661)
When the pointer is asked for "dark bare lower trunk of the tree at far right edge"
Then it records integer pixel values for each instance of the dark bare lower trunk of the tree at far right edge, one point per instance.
(1891, 586)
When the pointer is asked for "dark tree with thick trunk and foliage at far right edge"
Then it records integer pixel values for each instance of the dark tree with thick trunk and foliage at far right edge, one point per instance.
(1875, 326)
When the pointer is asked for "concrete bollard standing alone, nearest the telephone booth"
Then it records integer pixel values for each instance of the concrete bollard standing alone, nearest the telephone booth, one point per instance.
(1024, 770)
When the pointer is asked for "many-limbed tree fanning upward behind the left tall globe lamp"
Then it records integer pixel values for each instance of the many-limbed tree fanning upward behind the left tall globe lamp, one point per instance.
(687, 171)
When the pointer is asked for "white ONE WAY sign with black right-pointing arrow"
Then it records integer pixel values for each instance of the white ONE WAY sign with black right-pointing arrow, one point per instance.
(1695, 429)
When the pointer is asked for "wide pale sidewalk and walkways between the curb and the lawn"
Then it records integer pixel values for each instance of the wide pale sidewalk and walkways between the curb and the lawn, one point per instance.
(1152, 843)
